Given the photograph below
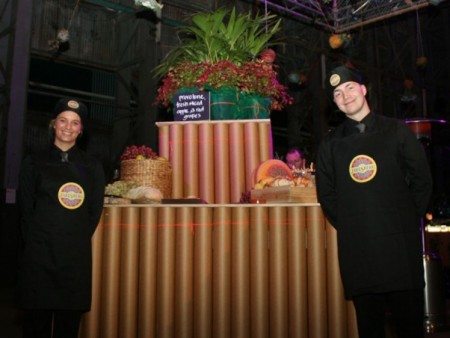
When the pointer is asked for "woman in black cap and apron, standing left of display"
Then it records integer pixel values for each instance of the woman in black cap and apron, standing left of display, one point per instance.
(61, 199)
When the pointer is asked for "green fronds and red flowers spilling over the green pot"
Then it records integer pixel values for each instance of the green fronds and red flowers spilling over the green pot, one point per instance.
(223, 49)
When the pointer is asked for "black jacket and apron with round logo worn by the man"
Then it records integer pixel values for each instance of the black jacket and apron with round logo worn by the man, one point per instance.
(373, 188)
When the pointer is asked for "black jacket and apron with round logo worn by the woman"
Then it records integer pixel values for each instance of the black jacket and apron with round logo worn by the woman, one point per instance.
(60, 203)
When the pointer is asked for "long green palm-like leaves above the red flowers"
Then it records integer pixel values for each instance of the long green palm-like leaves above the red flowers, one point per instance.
(221, 35)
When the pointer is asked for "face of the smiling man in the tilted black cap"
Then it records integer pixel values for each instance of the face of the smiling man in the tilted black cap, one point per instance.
(350, 97)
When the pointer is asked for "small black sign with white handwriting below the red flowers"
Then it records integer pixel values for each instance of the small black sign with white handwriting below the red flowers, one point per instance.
(191, 106)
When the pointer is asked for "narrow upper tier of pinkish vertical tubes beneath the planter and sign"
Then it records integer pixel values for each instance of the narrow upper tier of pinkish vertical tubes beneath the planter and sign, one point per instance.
(204, 155)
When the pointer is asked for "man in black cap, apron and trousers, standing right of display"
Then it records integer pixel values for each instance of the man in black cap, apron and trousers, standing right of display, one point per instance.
(374, 184)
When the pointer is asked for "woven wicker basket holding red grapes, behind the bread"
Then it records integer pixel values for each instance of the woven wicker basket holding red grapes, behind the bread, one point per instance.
(156, 173)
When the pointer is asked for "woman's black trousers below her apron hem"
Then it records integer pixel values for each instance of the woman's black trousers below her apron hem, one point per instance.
(51, 323)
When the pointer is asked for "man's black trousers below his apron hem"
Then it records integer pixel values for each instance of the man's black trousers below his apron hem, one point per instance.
(405, 310)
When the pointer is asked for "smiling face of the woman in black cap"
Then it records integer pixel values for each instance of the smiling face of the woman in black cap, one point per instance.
(67, 127)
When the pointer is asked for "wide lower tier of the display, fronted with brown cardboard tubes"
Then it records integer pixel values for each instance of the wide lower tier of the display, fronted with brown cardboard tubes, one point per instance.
(221, 270)
